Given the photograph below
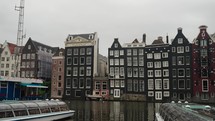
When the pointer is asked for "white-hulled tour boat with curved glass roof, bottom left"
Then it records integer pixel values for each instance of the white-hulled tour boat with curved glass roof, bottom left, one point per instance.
(36, 110)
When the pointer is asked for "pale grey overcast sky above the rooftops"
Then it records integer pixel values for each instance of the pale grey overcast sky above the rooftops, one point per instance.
(50, 21)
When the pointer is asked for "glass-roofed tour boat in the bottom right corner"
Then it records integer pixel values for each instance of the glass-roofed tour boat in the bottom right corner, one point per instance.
(185, 112)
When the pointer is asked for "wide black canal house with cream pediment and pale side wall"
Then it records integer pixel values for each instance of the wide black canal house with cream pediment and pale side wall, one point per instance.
(81, 65)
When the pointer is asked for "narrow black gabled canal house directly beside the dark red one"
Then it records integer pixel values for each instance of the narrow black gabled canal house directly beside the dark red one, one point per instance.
(181, 67)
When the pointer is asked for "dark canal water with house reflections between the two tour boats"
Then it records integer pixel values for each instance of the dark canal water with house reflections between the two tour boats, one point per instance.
(113, 111)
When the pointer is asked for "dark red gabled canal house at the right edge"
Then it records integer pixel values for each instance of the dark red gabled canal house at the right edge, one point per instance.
(203, 54)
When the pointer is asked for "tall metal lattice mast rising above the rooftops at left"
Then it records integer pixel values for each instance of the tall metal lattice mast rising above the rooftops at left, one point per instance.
(20, 35)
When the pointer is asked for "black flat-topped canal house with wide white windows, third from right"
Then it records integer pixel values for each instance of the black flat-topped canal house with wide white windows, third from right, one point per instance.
(157, 66)
